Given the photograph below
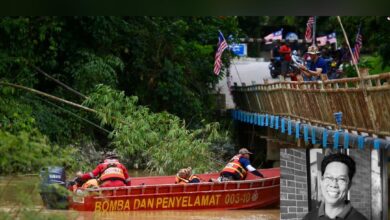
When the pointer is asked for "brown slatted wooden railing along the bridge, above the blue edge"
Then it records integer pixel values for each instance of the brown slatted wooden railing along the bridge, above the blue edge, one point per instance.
(364, 102)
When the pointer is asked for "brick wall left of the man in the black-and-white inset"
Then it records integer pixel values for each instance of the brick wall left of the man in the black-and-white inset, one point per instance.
(294, 191)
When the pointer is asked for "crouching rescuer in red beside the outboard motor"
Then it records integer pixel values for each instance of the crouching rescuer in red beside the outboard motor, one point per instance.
(111, 172)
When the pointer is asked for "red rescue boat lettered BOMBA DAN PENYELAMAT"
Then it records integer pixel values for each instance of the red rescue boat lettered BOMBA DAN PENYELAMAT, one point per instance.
(160, 193)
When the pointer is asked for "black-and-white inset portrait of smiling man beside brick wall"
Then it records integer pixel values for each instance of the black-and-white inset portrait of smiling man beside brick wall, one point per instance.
(334, 184)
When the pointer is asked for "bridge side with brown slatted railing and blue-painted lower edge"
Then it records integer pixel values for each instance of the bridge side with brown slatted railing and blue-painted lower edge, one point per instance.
(339, 113)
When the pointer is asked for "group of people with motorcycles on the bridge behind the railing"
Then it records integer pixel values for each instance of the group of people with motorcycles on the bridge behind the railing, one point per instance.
(320, 63)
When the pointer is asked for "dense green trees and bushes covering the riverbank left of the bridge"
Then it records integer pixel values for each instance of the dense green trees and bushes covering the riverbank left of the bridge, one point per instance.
(162, 63)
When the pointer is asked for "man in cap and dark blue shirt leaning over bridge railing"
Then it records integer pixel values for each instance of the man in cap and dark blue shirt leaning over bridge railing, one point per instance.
(317, 68)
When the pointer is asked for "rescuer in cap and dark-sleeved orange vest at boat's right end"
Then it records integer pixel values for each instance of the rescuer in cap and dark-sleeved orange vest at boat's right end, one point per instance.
(238, 167)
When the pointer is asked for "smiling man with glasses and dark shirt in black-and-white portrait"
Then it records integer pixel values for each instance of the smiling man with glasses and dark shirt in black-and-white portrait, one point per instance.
(337, 173)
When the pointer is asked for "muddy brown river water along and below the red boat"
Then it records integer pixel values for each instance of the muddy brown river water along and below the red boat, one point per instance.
(19, 198)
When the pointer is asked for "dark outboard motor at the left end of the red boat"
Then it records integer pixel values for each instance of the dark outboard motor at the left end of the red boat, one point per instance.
(53, 188)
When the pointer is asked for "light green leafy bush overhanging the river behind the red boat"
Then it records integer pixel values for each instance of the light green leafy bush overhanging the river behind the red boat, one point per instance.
(161, 139)
